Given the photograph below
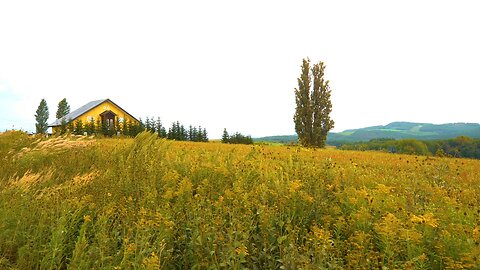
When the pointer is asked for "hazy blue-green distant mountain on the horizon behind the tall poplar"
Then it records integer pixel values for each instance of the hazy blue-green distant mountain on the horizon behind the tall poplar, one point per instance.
(395, 130)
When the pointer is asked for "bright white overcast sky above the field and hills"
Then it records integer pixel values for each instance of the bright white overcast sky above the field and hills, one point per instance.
(234, 64)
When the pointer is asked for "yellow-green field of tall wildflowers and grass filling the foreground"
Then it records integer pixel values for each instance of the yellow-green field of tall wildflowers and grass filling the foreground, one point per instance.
(147, 203)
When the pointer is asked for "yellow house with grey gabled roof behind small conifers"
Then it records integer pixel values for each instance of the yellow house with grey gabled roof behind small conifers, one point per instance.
(102, 111)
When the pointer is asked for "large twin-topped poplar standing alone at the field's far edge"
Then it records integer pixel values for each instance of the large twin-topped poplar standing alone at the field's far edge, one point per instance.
(312, 97)
